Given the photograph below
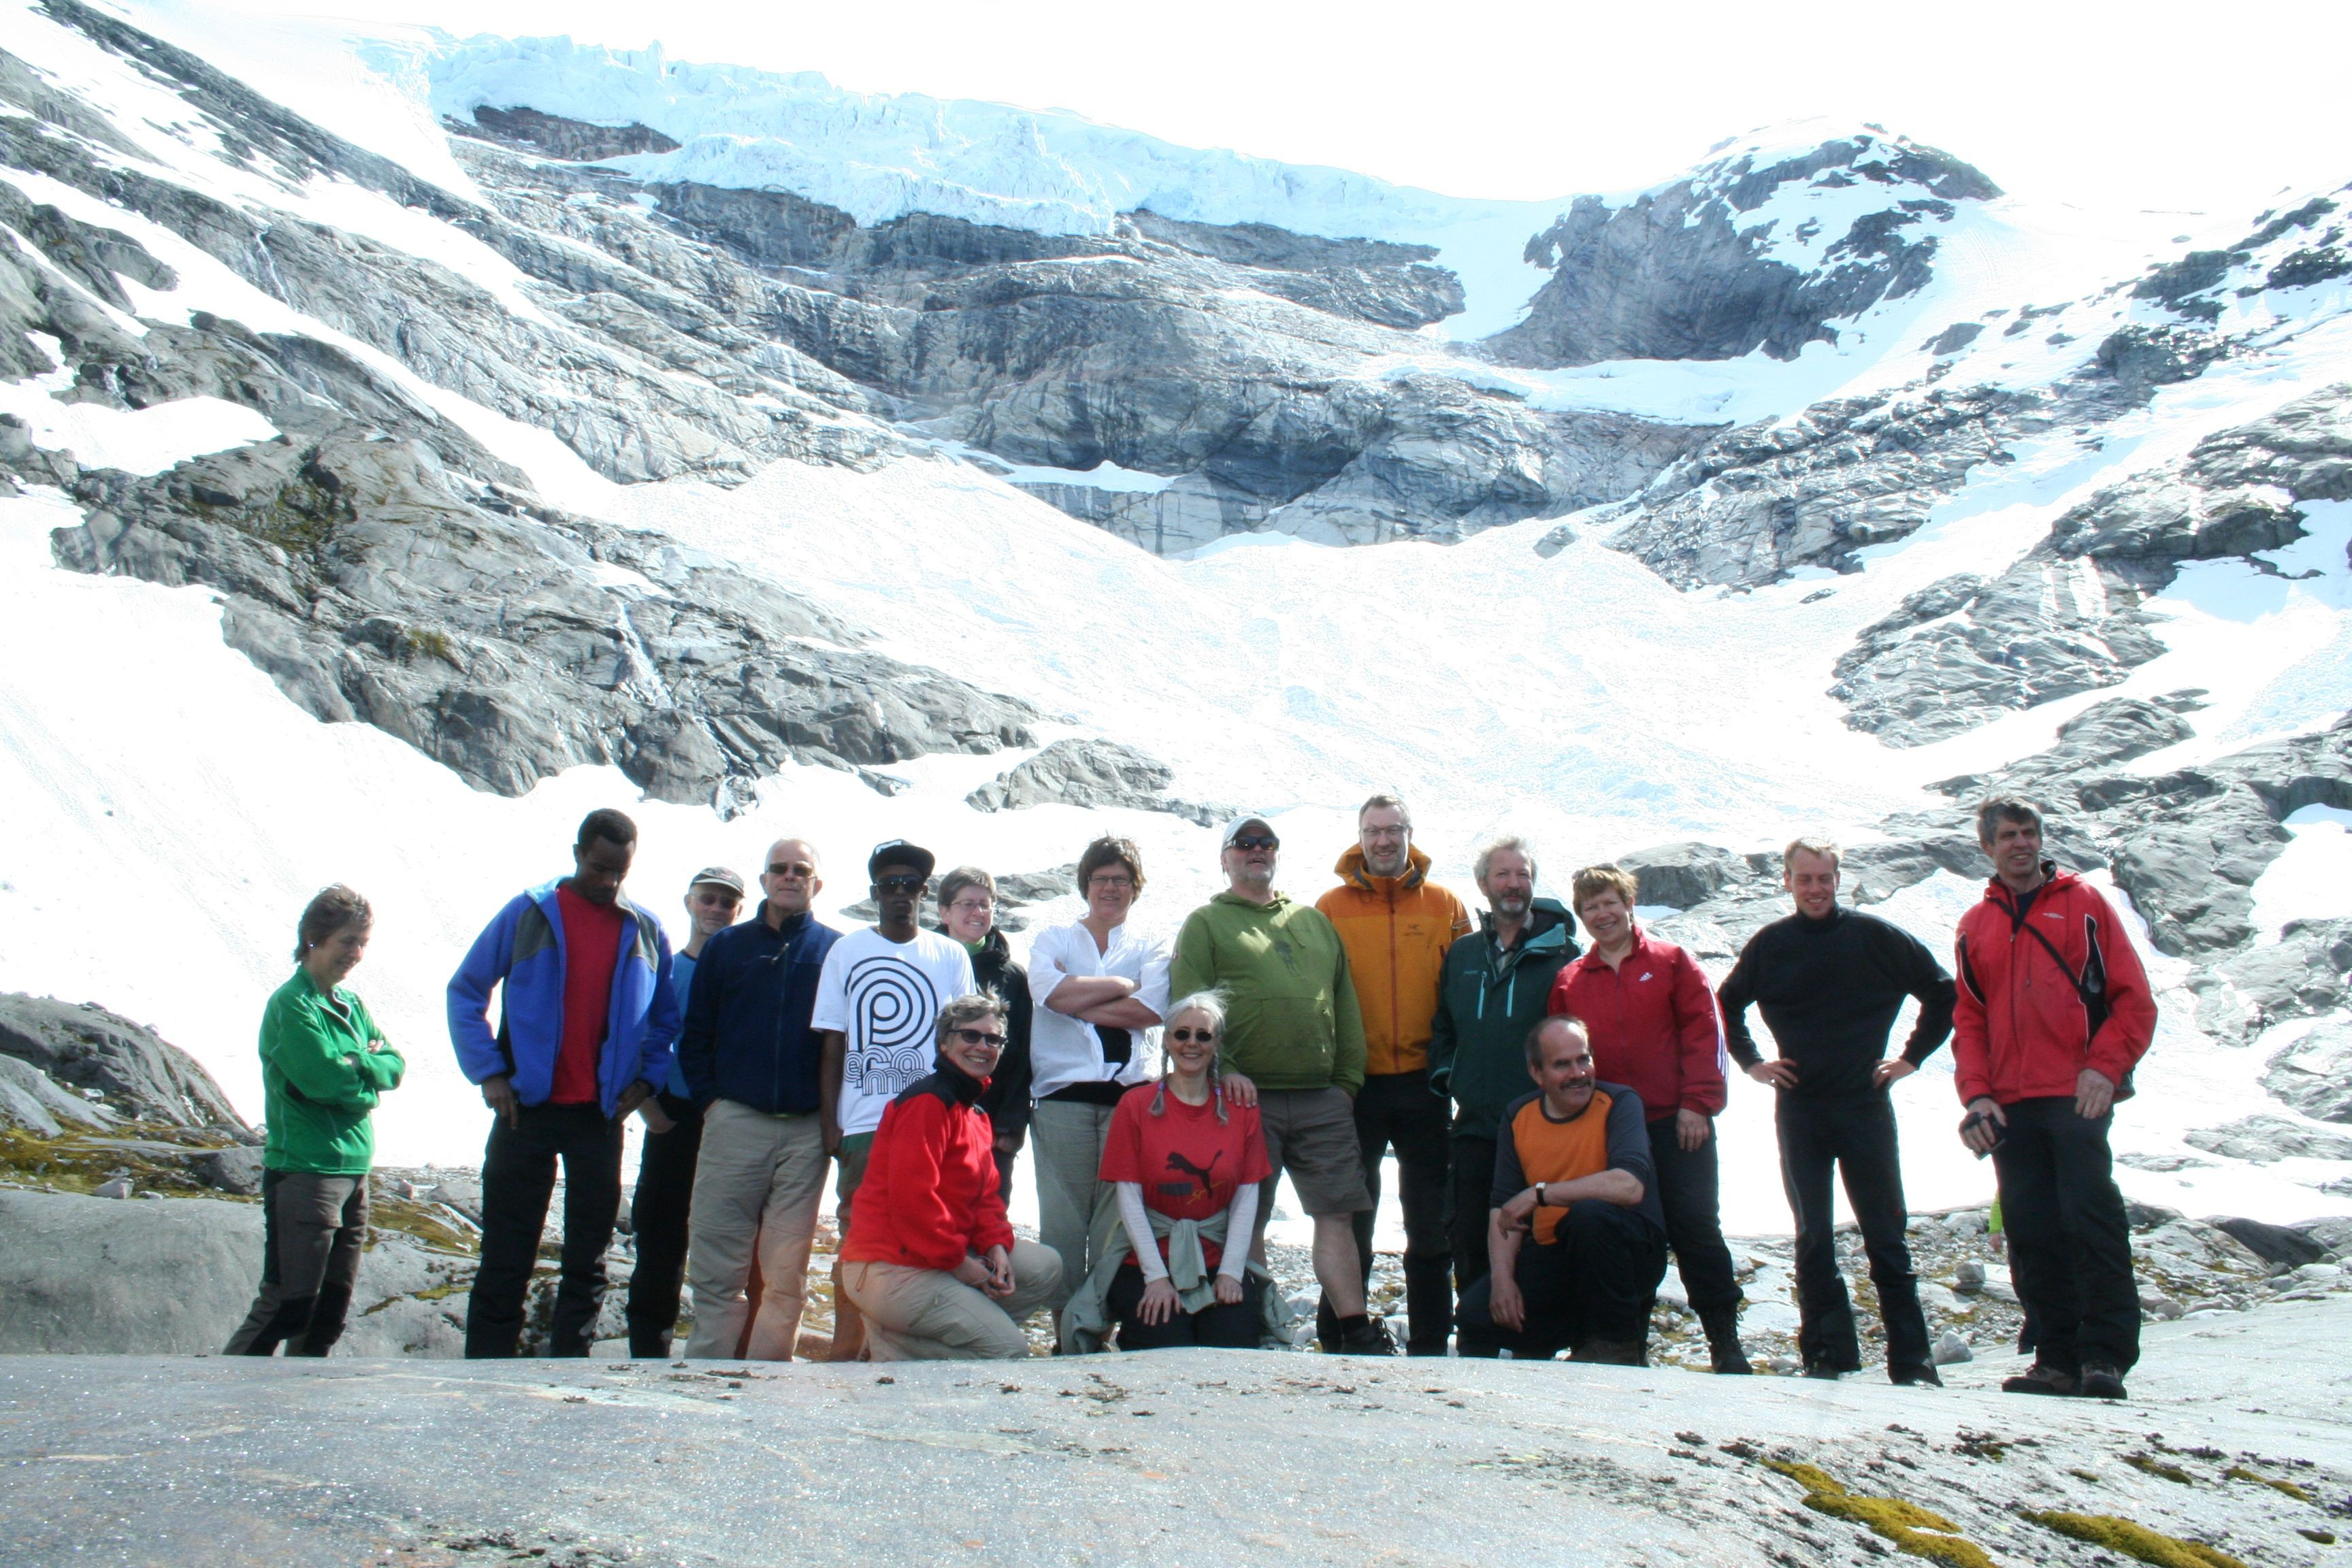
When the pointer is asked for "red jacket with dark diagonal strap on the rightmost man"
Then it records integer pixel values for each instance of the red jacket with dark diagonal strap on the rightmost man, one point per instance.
(2047, 986)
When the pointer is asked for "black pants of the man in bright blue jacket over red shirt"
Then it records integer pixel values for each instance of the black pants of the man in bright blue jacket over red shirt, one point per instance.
(519, 1179)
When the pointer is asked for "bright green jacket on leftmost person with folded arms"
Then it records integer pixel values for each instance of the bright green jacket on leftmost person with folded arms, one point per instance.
(323, 1068)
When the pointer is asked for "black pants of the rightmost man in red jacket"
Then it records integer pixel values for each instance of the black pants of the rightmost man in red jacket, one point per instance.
(2069, 1235)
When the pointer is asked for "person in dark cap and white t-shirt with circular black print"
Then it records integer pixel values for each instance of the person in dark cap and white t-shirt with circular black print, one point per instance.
(878, 1007)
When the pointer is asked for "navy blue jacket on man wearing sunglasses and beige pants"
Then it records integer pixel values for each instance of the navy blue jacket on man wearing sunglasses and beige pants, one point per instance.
(747, 1033)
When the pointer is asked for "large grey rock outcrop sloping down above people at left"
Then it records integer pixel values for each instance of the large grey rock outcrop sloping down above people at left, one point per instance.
(490, 634)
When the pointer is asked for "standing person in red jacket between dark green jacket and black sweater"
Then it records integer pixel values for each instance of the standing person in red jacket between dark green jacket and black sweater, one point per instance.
(1655, 1028)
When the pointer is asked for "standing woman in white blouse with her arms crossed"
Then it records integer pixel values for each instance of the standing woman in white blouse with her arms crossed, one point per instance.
(1100, 996)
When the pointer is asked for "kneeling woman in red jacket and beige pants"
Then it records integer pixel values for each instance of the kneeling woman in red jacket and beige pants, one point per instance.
(930, 1257)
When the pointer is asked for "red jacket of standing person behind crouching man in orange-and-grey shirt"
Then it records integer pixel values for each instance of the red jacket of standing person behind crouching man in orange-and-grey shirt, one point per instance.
(1652, 1021)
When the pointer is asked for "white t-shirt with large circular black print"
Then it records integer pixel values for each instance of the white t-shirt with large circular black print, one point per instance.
(886, 1000)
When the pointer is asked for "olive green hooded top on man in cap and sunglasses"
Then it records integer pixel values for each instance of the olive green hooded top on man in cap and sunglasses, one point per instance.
(1290, 1005)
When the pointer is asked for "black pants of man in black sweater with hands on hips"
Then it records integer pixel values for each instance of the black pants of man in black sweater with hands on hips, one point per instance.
(1855, 1139)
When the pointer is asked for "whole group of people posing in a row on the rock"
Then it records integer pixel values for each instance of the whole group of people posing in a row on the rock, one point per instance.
(1551, 1108)
